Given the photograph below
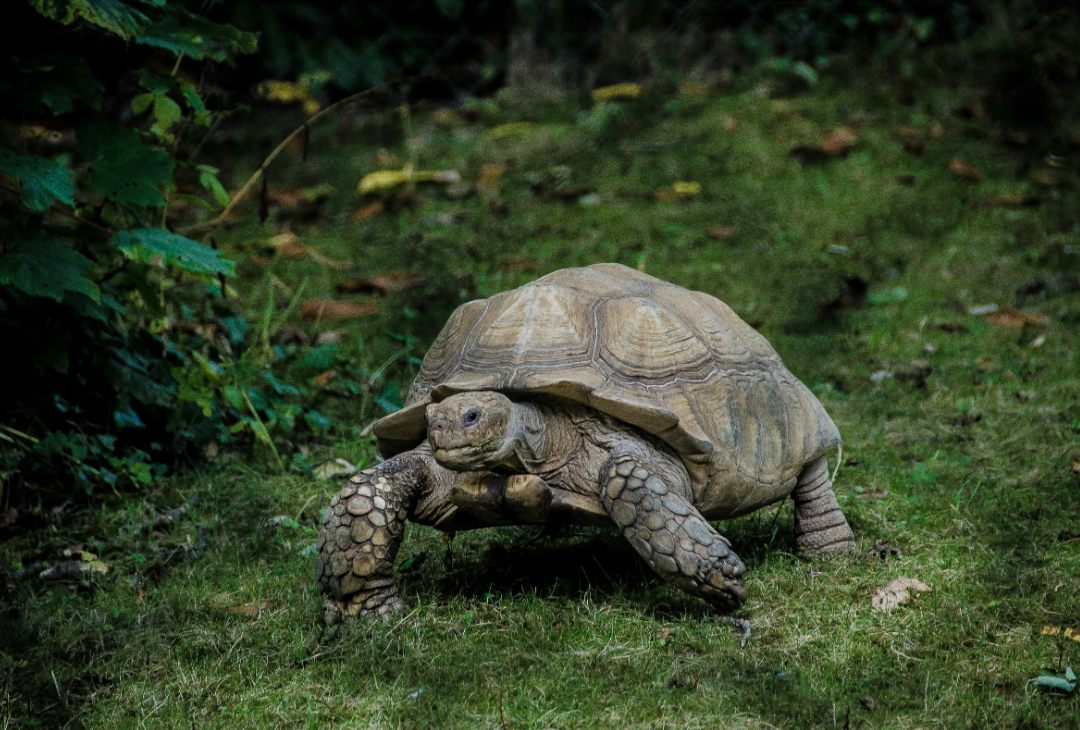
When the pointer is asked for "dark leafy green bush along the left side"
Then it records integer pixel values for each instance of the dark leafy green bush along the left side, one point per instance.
(125, 353)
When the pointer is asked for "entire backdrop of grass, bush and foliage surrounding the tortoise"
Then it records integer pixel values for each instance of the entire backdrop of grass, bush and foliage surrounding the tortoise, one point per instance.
(229, 232)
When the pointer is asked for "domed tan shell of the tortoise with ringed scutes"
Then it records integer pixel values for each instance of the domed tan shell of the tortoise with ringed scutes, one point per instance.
(674, 363)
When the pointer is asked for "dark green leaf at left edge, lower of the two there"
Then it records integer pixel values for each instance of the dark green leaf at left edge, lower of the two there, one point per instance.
(47, 268)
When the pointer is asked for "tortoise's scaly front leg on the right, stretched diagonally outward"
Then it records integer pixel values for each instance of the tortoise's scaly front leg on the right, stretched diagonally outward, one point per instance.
(670, 534)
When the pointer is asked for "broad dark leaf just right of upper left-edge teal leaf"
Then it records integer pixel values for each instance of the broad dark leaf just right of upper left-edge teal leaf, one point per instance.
(124, 169)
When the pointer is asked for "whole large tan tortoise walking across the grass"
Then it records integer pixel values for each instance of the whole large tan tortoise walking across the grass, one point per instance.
(591, 396)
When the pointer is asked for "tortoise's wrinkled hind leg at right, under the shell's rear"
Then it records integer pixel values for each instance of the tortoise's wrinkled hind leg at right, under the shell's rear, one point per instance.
(821, 529)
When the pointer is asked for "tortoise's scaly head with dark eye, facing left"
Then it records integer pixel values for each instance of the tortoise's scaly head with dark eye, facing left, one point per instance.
(474, 431)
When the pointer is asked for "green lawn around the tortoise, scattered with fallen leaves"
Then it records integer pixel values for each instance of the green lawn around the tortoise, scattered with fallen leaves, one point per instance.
(961, 436)
